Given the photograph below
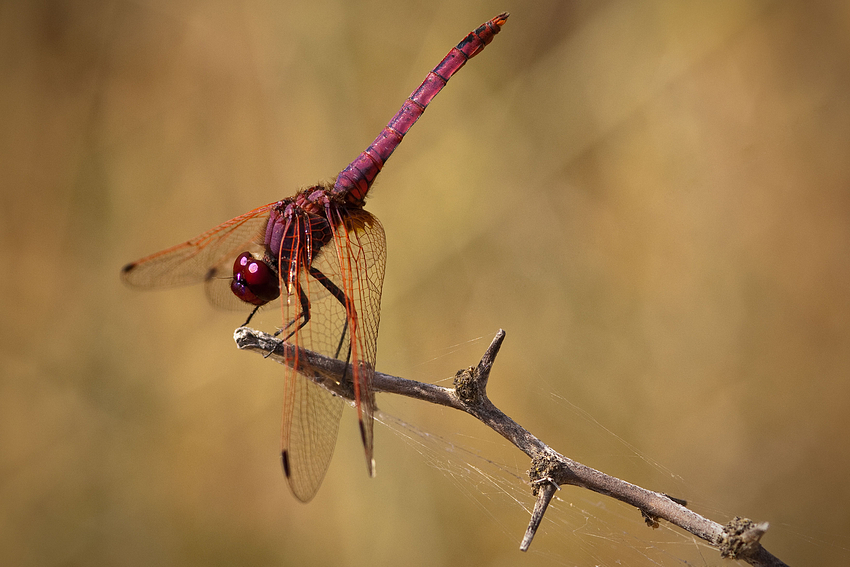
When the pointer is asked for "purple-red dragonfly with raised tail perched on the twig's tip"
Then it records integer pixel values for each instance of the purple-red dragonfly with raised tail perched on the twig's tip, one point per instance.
(322, 255)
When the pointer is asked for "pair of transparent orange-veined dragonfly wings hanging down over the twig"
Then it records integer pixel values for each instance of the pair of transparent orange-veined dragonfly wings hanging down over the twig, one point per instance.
(343, 286)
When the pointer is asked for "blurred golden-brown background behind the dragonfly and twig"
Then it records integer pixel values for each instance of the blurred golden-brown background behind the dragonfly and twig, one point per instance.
(652, 200)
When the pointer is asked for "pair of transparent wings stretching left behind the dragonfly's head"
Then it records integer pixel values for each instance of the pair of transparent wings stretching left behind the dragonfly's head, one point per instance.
(206, 258)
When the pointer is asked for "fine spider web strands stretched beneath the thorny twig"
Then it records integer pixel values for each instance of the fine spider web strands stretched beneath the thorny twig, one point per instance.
(579, 528)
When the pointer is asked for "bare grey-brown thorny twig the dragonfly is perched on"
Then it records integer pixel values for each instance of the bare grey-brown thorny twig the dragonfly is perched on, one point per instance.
(739, 539)
